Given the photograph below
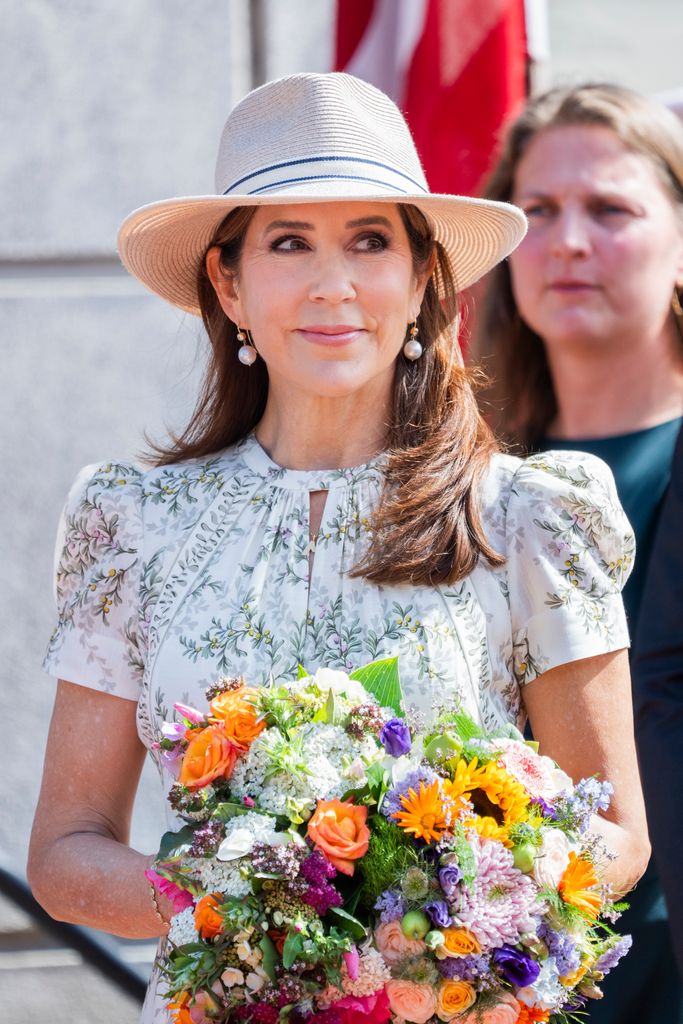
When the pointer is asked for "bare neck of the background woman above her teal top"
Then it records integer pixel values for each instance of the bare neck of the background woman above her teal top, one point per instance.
(605, 391)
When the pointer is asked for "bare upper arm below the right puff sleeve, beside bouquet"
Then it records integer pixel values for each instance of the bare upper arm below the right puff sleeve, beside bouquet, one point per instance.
(581, 714)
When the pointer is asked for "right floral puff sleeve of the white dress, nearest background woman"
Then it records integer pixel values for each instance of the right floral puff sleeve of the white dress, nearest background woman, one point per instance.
(571, 549)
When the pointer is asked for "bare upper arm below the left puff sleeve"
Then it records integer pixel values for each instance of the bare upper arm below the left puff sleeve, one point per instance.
(93, 767)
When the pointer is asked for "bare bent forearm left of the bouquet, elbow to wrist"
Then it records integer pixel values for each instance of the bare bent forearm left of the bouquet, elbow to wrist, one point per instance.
(90, 879)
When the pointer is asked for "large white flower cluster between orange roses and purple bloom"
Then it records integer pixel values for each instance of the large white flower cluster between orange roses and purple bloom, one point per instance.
(334, 762)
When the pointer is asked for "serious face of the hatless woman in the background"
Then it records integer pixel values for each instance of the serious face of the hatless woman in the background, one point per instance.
(605, 247)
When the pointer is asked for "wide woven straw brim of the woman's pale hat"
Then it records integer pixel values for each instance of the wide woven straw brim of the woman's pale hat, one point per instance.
(163, 244)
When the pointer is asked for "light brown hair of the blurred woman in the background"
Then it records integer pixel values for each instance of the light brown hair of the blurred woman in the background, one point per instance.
(520, 401)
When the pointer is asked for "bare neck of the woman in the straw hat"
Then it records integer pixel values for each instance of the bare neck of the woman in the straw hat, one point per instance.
(312, 433)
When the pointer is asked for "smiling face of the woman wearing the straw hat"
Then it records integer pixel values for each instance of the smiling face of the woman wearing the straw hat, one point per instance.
(327, 291)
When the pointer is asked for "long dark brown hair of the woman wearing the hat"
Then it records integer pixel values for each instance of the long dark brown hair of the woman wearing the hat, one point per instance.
(428, 528)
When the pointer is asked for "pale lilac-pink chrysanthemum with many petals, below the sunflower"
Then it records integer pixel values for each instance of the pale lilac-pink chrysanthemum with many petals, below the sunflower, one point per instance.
(501, 905)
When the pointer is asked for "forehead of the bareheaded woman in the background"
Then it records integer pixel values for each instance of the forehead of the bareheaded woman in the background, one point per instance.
(583, 157)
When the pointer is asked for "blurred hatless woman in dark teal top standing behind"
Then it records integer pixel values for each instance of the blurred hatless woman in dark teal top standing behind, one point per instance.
(581, 334)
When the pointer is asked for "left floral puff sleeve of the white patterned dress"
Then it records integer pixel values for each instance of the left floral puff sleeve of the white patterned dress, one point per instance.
(98, 639)
